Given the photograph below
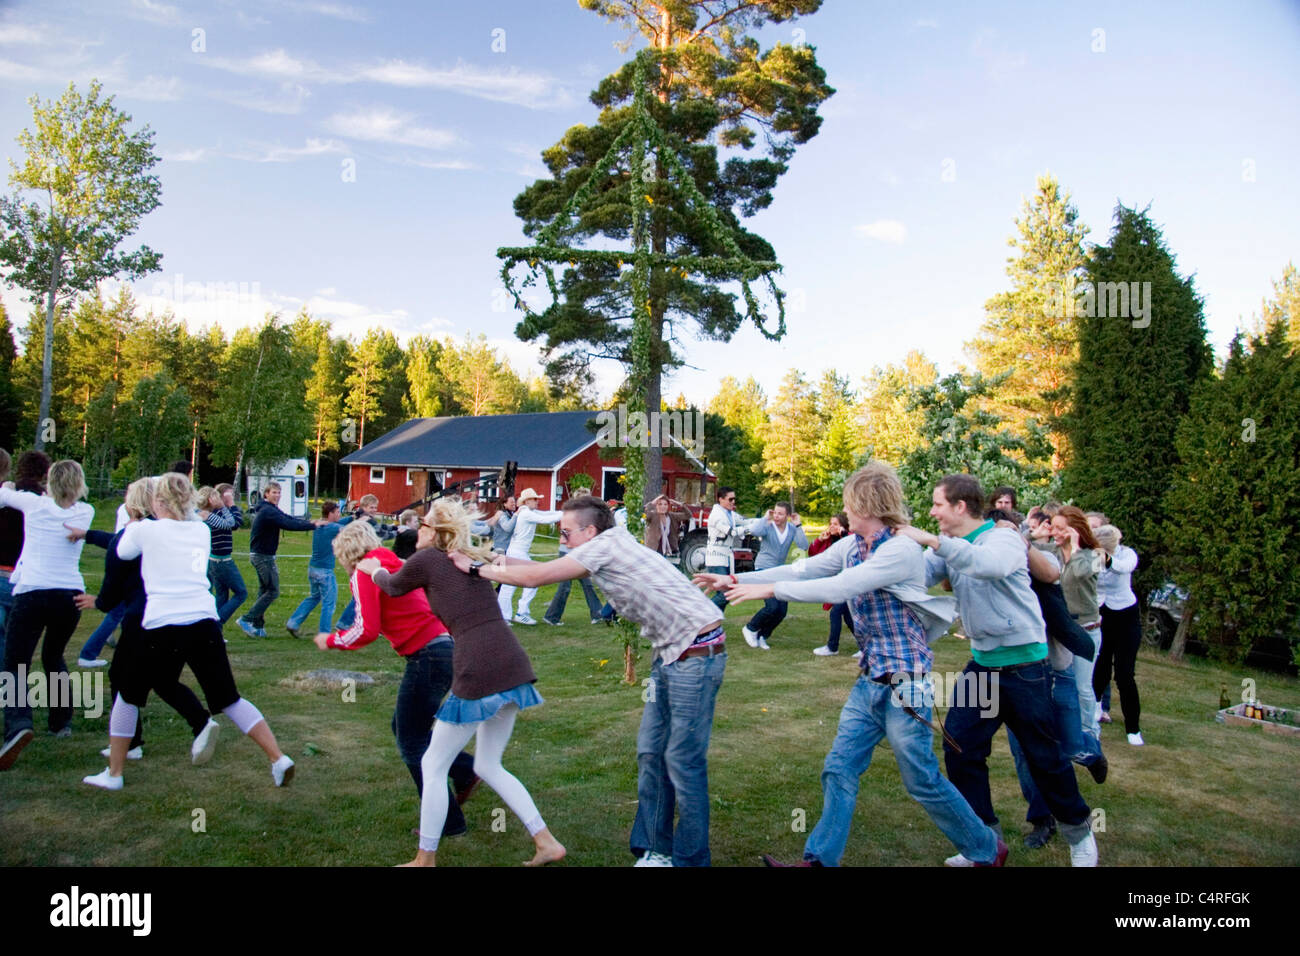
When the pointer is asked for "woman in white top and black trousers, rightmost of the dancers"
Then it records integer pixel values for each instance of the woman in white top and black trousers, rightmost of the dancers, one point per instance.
(1121, 629)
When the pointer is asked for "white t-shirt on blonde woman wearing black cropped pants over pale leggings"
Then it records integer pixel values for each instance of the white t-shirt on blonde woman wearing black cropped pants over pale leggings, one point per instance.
(175, 569)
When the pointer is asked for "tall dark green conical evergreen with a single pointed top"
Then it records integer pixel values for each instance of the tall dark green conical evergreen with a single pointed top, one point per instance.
(1133, 383)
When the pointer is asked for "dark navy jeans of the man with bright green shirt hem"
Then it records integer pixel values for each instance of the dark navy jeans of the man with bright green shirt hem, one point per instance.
(1025, 707)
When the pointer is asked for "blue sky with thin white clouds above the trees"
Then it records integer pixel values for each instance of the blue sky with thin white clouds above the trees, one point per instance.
(361, 159)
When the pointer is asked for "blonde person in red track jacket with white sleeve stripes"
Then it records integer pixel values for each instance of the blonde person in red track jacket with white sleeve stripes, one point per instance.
(422, 641)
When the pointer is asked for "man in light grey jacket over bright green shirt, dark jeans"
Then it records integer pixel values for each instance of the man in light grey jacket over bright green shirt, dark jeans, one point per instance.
(989, 570)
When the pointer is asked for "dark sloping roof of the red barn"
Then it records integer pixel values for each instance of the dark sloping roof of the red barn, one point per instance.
(540, 442)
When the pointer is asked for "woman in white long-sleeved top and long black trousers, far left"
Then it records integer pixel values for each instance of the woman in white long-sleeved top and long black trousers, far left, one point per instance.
(46, 582)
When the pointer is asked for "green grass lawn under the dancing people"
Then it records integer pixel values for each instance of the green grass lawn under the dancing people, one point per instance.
(1198, 794)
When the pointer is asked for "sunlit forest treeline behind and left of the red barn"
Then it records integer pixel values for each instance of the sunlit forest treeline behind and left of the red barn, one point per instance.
(133, 393)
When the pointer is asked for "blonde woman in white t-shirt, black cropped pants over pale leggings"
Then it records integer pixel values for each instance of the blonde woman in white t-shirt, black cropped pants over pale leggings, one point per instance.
(180, 629)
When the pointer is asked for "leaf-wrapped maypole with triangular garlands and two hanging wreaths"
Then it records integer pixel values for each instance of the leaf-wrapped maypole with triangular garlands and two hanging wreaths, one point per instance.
(647, 144)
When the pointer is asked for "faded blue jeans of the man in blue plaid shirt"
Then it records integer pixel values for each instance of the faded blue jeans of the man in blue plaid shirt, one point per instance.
(872, 715)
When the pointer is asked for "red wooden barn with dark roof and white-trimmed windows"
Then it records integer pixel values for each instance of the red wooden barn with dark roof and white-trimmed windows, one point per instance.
(549, 447)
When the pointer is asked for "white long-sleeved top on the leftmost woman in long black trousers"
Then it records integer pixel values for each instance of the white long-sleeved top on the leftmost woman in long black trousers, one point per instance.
(49, 559)
